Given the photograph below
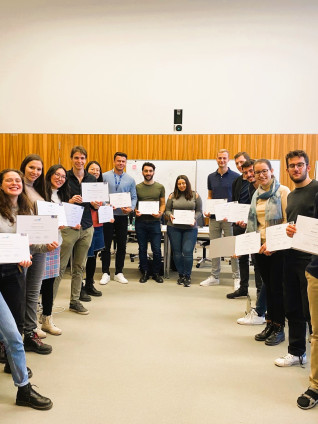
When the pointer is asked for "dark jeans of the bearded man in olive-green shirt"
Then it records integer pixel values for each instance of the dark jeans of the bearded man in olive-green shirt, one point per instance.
(149, 231)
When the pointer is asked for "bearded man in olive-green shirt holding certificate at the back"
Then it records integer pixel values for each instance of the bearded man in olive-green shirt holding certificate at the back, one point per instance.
(150, 194)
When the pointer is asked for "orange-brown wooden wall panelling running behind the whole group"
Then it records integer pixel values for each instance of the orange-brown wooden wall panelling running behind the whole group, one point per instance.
(55, 148)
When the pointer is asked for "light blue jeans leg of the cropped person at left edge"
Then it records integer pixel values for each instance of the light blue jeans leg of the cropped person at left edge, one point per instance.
(11, 338)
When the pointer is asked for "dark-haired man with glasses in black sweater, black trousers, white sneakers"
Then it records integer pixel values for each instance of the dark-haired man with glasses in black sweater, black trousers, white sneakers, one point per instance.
(299, 202)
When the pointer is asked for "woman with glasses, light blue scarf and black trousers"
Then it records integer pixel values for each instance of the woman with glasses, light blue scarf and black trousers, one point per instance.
(268, 207)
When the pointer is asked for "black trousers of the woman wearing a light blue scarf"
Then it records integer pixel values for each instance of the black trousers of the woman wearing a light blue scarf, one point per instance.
(271, 270)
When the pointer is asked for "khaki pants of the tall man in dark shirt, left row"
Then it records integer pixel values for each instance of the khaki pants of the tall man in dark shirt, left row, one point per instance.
(79, 242)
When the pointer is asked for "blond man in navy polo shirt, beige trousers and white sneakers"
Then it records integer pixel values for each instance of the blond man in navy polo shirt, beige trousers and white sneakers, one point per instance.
(220, 187)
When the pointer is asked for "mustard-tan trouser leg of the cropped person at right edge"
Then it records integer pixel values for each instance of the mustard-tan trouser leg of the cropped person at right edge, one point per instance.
(313, 308)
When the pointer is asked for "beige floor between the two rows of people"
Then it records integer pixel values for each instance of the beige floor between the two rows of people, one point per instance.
(160, 354)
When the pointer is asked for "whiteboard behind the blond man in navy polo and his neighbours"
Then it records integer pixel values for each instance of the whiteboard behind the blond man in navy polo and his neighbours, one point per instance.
(207, 166)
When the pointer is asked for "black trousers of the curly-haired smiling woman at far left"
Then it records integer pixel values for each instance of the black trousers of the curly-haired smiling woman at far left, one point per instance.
(13, 290)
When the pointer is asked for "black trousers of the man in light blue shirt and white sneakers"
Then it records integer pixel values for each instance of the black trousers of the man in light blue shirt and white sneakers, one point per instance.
(119, 228)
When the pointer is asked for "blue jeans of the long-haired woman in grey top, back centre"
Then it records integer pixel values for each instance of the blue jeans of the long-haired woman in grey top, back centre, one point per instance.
(182, 243)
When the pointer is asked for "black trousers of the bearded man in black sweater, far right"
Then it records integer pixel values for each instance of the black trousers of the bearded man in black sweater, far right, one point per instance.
(296, 301)
